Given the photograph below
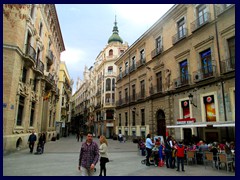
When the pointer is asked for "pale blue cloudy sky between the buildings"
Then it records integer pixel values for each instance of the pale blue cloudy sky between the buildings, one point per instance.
(86, 29)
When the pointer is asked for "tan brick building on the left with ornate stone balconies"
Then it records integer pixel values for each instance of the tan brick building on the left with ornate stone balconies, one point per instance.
(32, 44)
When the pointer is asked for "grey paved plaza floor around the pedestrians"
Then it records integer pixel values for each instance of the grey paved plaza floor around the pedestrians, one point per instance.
(61, 159)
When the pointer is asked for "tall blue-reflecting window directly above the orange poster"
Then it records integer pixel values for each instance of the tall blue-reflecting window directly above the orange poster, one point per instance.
(206, 61)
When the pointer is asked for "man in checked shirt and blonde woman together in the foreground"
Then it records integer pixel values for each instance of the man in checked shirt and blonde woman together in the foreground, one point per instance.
(90, 153)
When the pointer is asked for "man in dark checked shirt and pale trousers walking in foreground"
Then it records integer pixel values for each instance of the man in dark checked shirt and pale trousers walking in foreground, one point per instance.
(88, 156)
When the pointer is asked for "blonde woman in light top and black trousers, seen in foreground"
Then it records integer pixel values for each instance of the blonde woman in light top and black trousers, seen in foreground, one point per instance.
(103, 154)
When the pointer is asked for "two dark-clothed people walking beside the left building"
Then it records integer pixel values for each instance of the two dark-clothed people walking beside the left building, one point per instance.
(41, 141)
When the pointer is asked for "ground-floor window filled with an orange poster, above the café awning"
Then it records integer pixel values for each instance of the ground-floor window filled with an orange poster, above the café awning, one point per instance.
(210, 108)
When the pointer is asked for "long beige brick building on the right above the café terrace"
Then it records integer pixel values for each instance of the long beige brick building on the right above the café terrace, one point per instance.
(178, 78)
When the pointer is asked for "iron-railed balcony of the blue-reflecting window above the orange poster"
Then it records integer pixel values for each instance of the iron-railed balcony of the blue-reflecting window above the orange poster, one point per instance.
(204, 73)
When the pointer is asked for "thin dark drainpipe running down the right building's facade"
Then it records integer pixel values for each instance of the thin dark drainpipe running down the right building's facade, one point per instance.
(219, 62)
